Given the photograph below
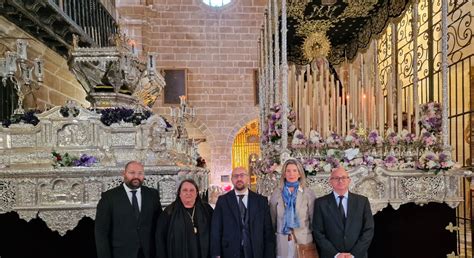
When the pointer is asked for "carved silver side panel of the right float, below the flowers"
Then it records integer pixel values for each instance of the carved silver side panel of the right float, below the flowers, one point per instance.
(384, 187)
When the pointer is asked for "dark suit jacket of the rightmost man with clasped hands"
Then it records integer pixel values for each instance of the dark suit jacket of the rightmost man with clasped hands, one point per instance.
(329, 232)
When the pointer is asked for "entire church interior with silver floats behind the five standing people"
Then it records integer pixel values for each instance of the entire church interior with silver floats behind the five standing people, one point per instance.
(205, 86)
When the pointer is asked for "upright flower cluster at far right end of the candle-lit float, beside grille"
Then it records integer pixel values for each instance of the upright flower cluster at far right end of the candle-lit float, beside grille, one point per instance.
(430, 117)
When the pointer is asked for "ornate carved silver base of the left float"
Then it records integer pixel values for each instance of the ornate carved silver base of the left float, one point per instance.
(30, 186)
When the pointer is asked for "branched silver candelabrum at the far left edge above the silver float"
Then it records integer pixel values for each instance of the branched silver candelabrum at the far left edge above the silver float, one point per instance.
(23, 73)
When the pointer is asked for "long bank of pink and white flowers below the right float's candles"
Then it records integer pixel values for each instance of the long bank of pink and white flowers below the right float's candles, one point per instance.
(396, 151)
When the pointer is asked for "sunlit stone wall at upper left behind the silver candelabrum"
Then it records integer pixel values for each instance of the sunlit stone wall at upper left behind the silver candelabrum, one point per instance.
(59, 83)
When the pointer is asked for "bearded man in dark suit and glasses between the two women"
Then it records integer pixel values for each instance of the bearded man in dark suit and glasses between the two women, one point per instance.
(241, 224)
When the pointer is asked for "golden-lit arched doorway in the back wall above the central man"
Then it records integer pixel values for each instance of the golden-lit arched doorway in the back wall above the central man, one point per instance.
(246, 148)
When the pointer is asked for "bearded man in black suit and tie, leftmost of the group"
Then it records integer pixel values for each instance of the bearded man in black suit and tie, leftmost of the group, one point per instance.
(126, 217)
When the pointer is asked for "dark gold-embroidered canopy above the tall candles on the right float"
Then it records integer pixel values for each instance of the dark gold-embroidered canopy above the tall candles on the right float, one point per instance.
(351, 26)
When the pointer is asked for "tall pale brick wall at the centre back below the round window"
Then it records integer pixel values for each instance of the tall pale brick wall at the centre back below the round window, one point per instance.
(219, 49)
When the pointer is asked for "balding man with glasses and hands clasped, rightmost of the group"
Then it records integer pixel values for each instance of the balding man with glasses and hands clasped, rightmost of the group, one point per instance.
(343, 225)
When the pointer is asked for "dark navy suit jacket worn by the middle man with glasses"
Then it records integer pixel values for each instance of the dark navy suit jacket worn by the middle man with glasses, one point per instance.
(226, 232)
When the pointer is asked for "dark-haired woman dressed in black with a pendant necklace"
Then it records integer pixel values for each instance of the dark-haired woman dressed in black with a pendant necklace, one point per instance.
(183, 228)
